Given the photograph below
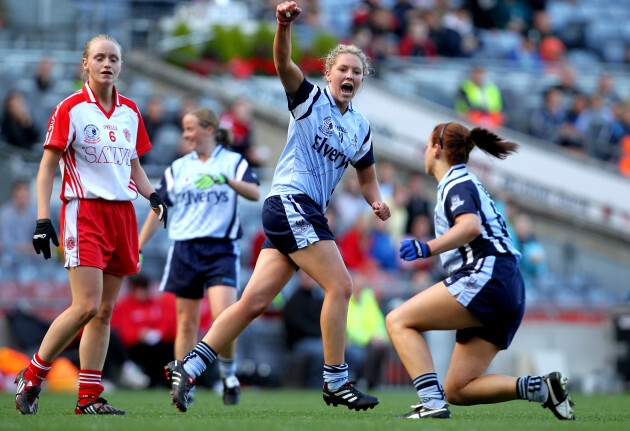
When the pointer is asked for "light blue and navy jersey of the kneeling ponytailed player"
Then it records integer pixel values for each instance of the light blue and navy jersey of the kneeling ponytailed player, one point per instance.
(460, 192)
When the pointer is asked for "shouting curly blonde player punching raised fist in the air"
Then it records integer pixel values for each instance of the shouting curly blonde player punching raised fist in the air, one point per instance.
(326, 135)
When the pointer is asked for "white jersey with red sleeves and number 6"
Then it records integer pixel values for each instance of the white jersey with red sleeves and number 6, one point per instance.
(98, 146)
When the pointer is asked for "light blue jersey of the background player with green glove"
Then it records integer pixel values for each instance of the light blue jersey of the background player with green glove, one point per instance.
(198, 212)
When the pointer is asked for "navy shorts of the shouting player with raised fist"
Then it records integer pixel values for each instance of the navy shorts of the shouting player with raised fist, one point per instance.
(292, 222)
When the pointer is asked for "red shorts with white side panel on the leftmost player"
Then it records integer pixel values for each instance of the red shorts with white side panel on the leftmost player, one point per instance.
(100, 233)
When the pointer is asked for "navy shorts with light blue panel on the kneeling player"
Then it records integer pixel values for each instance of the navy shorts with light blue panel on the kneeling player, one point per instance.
(492, 289)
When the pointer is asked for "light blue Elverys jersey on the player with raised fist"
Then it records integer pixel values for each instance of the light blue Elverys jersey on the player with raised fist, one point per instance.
(321, 144)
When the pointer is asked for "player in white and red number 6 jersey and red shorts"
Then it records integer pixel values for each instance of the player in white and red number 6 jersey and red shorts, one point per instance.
(96, 135)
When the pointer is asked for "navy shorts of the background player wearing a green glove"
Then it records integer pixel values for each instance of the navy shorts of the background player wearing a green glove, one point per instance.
(197, 264)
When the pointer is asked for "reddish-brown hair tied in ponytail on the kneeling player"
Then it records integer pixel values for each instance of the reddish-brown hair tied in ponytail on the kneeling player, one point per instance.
(458, 141)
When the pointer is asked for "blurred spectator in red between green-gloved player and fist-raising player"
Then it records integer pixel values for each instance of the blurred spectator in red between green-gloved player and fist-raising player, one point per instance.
(239, 119)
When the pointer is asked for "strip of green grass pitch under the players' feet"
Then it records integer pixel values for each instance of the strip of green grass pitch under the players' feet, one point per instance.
(304, 410)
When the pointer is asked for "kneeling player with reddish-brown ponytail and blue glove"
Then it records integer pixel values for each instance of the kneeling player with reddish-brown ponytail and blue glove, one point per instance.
(483, 297)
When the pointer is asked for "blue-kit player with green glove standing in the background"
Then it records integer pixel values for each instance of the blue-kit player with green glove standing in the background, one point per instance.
(203, 188)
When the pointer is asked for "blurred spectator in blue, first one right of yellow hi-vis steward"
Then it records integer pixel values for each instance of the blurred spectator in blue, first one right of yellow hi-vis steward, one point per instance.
(546, 122)
